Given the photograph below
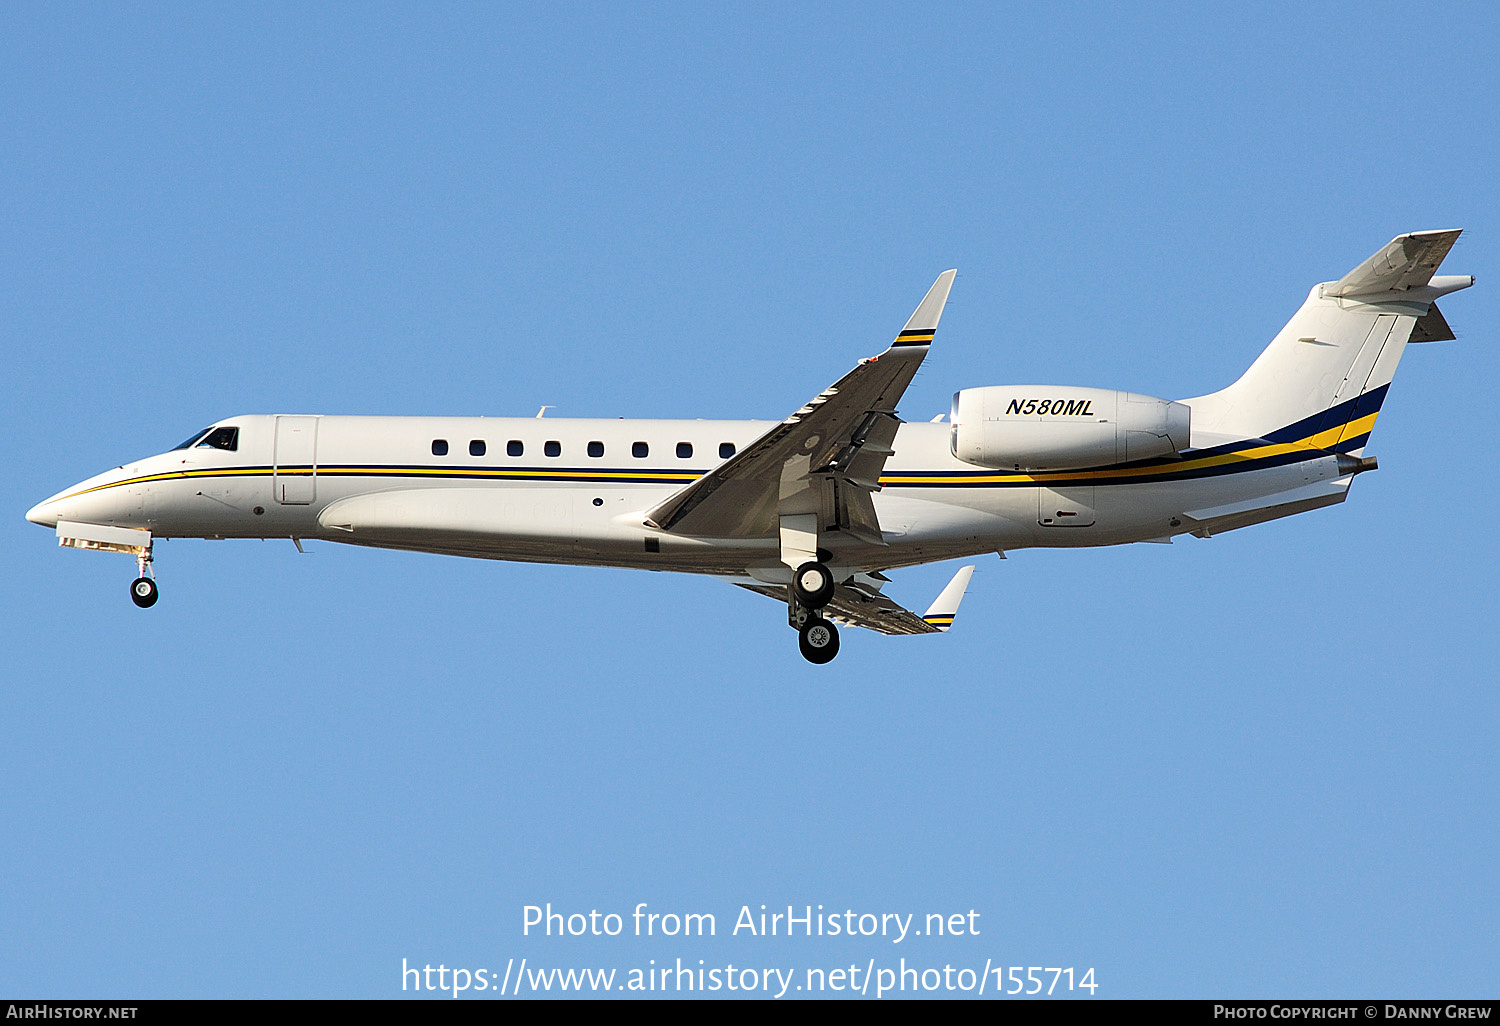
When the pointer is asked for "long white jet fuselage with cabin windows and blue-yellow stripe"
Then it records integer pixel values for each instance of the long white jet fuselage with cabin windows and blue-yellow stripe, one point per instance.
(380, 482)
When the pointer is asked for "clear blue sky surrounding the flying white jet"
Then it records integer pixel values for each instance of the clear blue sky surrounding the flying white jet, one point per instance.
(1258, 766)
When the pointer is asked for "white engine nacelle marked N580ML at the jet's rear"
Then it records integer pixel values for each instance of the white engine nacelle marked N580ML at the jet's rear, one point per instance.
(1064, 428)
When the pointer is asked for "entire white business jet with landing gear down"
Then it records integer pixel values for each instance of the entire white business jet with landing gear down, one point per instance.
(814, 509)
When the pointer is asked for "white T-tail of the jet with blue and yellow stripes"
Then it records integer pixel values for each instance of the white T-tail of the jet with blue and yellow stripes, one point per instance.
(1322, 380)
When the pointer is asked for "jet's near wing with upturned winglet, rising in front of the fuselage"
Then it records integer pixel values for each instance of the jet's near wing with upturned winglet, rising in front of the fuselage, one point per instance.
(824, 460)
